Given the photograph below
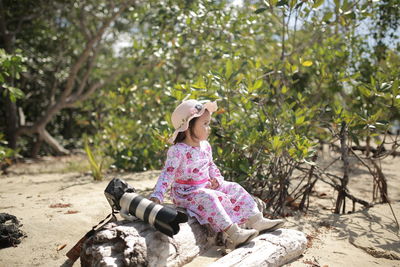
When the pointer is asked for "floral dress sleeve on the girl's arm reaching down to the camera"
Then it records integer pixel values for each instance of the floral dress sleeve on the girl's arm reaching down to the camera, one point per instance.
(168, 173)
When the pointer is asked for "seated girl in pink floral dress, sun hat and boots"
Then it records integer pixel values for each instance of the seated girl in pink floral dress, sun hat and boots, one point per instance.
(197, 184)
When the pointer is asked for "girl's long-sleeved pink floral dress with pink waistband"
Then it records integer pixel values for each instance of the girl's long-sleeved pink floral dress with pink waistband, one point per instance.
(189, 170)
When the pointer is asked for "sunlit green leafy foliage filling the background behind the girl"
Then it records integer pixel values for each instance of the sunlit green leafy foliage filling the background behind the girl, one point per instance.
(288, 76)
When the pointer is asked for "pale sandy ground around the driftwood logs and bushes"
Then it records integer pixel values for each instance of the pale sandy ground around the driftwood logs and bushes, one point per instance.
(57, 203)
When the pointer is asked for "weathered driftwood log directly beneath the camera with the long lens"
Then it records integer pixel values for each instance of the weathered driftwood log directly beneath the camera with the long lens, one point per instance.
(125, 243)
